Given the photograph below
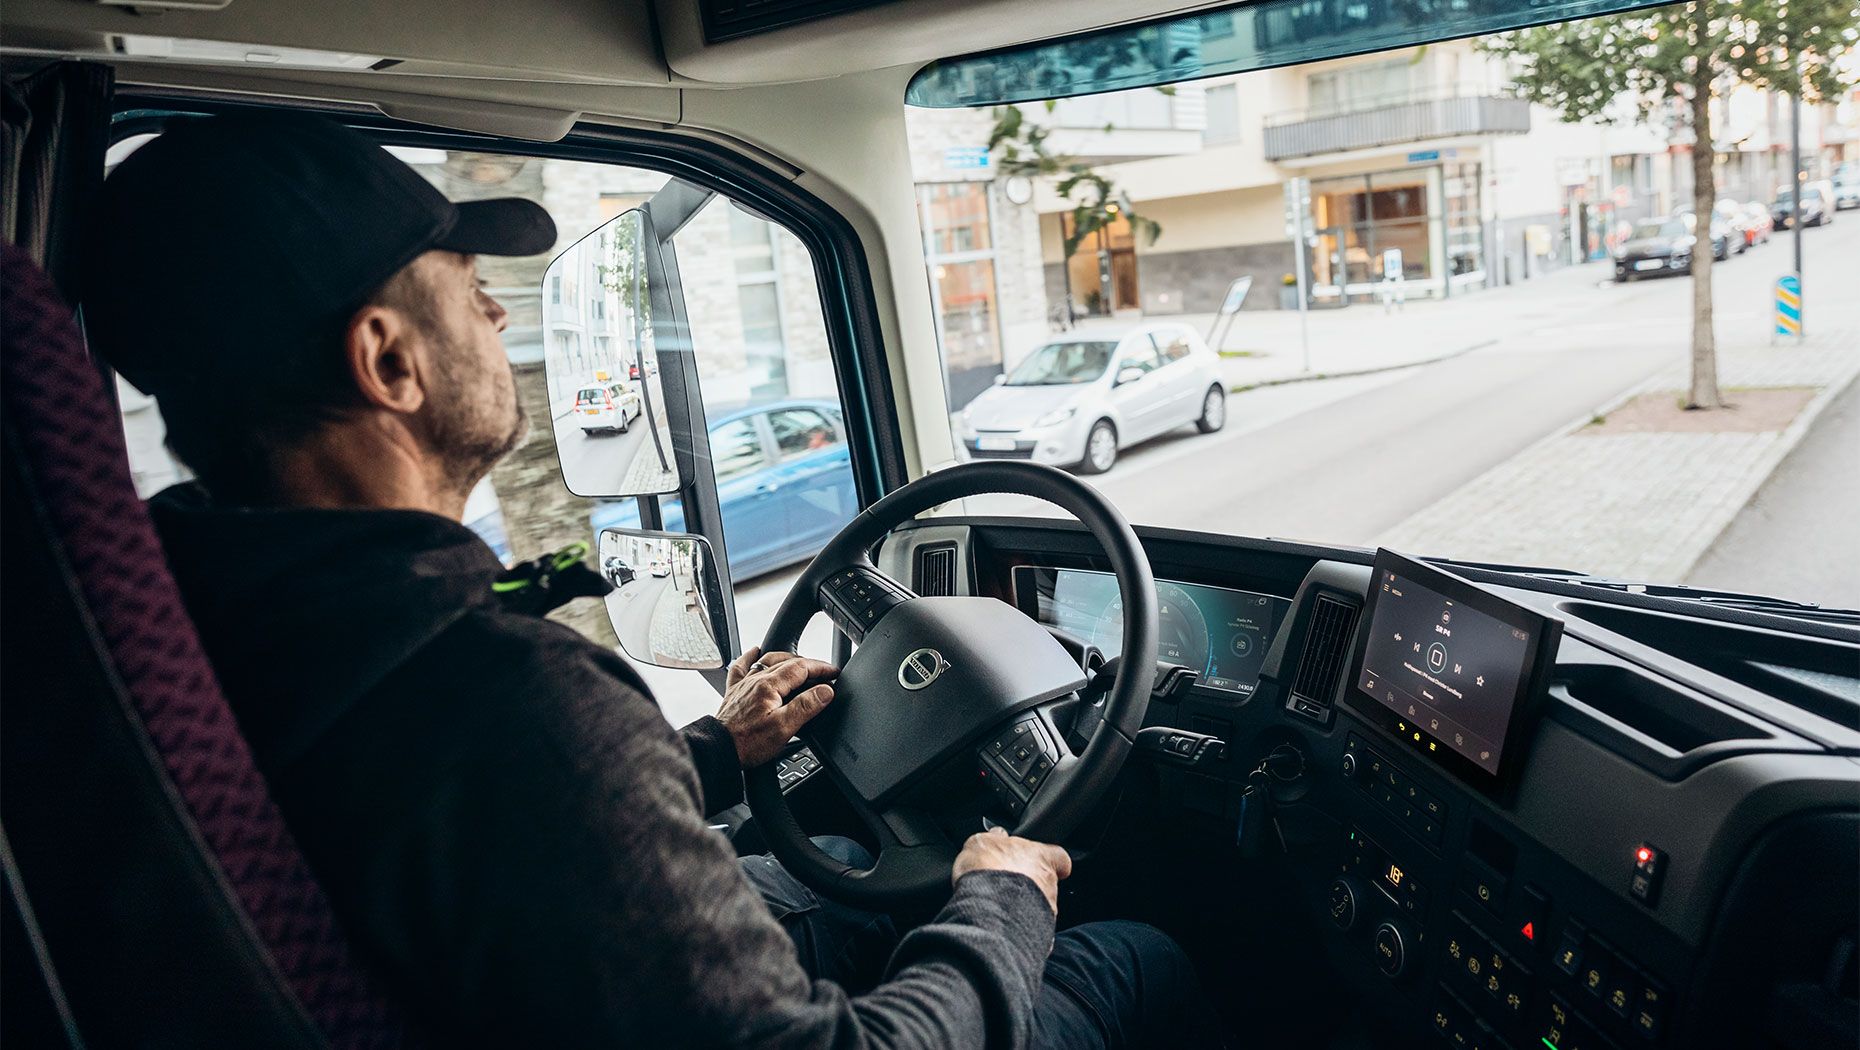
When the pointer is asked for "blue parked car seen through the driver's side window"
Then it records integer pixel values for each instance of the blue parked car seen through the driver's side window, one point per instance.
(784, 480)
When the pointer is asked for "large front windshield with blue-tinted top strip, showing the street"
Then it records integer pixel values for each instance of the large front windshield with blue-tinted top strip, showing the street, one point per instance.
(1407, 263)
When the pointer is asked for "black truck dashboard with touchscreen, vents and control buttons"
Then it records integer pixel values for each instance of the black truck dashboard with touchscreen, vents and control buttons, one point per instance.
(1519, 815)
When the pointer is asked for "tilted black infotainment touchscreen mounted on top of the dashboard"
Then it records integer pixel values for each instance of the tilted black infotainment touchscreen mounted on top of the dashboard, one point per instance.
(1457, 666)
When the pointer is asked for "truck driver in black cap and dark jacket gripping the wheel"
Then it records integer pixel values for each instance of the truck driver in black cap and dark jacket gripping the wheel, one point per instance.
(503, 820)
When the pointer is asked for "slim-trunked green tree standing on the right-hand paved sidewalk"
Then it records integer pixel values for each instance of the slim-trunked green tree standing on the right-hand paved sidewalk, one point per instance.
(1677, 59)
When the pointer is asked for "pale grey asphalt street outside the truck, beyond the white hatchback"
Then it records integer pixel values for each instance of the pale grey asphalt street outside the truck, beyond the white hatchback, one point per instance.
(1346, 460)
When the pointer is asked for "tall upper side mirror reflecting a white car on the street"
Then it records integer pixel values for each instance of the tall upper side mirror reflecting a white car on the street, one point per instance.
(605, 393)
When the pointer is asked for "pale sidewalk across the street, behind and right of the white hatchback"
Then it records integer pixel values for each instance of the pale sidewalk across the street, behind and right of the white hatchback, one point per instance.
(1264, 348)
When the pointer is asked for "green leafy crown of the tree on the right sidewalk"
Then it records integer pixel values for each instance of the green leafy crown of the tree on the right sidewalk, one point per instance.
(1647, 59)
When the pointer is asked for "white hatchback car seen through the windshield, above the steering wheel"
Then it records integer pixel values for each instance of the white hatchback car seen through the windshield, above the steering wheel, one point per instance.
(1083, 397)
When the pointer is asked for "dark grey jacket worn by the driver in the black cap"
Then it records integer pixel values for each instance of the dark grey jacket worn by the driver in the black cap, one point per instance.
(511, 830)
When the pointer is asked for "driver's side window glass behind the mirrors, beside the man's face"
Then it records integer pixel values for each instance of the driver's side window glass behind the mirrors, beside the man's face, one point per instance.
(760, 339)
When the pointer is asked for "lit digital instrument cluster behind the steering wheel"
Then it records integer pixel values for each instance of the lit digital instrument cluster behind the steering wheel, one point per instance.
(1219, 633)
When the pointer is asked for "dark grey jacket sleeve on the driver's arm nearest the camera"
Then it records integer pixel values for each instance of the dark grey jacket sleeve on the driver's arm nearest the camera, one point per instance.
(605, 913)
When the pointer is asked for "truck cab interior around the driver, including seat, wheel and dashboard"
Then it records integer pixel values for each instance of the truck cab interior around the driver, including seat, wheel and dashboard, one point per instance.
(1383, 800)
